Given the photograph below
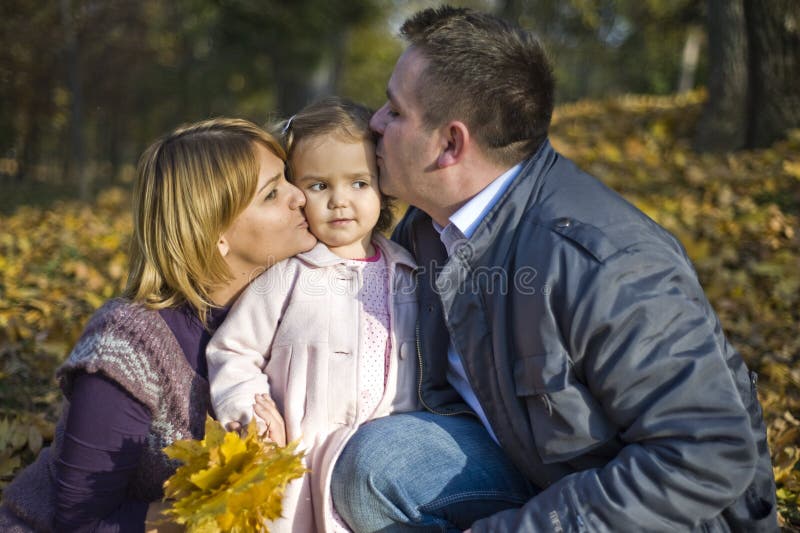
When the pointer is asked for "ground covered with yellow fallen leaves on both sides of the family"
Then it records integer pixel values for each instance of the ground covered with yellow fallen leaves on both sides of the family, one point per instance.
(737, 215)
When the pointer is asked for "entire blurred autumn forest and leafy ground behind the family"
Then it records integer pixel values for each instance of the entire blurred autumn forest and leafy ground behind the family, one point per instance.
(689, 108)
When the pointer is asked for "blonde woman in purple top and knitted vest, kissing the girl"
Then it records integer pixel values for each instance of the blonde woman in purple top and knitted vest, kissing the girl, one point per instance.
(212, 209)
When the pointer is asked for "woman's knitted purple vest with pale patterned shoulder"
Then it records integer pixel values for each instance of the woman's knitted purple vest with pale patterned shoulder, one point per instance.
(134, 347)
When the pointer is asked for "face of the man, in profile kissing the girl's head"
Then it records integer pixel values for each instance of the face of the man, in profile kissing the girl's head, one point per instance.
(406, 150)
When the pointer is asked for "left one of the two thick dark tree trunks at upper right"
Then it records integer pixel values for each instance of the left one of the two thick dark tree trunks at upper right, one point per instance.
(723, 125)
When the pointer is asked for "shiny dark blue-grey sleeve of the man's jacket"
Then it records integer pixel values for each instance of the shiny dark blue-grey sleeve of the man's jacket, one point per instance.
(651, 353)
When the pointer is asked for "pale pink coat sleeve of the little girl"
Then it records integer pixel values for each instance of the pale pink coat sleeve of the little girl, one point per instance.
(239, 350)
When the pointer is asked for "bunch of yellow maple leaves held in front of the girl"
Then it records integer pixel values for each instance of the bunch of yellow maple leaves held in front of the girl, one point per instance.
(228, 482)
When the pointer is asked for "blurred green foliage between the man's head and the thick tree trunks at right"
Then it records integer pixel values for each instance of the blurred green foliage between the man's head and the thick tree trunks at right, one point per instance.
(610, 47)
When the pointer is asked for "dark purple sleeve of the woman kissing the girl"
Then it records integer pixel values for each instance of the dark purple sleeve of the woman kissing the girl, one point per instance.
(104, 436)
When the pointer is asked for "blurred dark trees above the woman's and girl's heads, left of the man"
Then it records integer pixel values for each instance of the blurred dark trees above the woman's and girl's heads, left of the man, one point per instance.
(144, 67)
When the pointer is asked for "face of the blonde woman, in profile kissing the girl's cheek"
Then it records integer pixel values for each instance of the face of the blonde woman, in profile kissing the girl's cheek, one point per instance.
(272, 227)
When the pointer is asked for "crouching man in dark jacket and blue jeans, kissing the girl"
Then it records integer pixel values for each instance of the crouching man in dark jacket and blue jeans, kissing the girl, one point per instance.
(606, 395)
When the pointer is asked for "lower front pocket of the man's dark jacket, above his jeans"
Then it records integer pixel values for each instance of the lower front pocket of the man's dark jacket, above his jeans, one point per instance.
(566, 420)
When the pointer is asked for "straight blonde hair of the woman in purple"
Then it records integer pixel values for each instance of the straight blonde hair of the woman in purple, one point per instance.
(191, 185)
